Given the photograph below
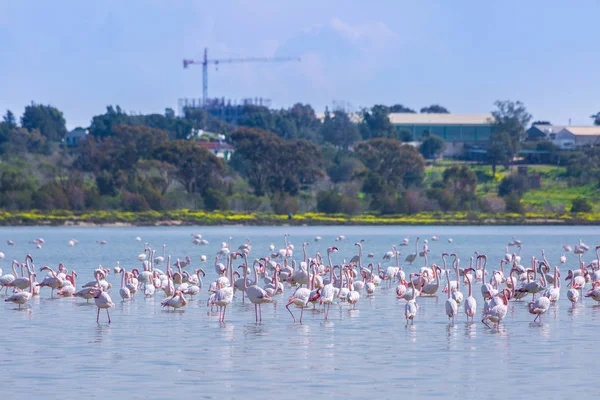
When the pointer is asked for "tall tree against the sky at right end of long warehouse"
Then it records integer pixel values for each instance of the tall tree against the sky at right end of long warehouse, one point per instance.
(511, 118)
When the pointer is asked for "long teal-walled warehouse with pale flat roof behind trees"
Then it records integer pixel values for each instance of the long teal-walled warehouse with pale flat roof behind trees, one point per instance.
(457, 130)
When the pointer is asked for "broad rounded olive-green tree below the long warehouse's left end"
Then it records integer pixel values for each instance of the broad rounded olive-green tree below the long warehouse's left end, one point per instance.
(397, 164)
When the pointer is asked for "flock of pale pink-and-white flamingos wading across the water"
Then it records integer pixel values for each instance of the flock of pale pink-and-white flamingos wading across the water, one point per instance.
(317, 282)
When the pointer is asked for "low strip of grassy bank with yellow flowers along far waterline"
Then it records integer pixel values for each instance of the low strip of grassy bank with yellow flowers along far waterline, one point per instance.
(191, 217)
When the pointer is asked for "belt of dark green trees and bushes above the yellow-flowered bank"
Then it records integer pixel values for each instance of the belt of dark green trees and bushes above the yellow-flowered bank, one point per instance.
(285, 161)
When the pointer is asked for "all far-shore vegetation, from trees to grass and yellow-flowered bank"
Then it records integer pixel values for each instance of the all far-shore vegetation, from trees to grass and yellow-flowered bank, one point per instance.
(342, 169)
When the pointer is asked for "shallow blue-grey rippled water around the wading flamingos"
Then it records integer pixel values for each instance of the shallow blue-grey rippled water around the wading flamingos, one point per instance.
(54, 346)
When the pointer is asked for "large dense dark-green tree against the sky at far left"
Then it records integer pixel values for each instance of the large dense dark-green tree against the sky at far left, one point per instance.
(47, 119)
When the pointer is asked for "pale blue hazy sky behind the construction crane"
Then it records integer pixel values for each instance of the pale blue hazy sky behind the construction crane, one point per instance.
(81, 56)
